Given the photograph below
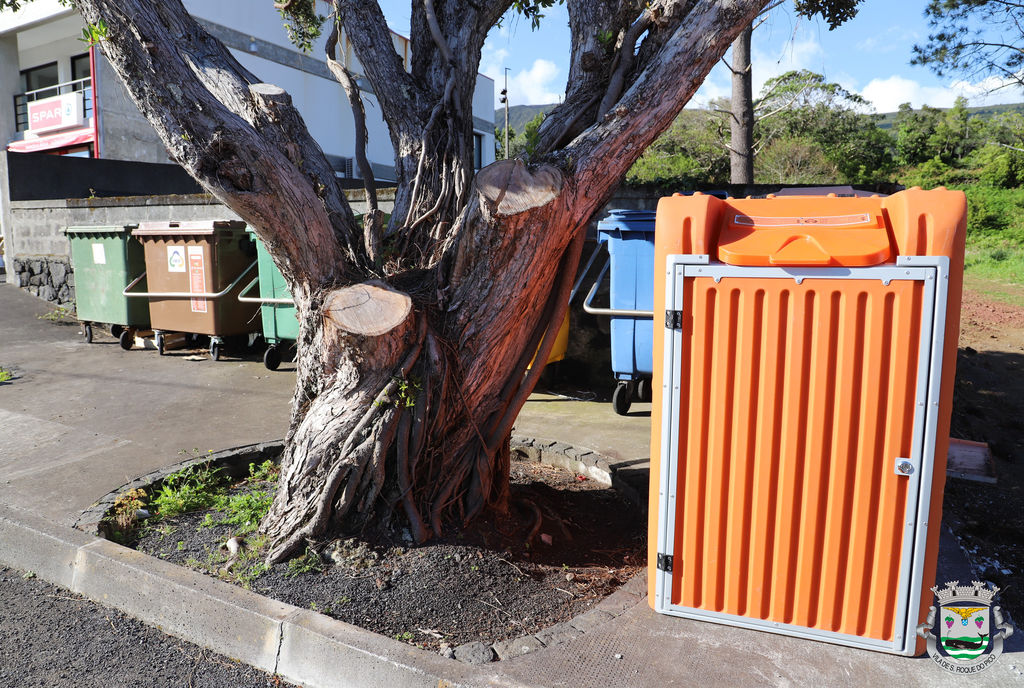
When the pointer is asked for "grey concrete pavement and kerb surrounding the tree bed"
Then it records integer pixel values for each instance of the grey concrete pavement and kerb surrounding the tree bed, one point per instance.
(80, 420)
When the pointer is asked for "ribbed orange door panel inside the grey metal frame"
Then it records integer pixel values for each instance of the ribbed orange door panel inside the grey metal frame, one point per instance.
(797, 402)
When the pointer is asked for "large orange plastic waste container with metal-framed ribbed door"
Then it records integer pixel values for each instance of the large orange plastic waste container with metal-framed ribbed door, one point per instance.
(803, 390)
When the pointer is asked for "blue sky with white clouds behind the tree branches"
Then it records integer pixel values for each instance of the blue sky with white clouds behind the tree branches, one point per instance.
(870, 56)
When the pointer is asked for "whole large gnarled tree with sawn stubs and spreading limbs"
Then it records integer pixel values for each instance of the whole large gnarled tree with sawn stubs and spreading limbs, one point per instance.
(414, 346)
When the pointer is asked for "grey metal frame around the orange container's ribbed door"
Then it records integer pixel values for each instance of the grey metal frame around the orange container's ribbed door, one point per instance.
(933, 272)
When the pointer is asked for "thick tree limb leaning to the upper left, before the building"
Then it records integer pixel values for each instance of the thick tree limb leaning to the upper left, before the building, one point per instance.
(237, 139)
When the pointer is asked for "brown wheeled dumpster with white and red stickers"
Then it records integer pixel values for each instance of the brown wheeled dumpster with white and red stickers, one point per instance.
(195, 273)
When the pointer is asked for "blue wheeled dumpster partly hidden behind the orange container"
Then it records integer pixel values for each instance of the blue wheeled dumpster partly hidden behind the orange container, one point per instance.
(629, 236)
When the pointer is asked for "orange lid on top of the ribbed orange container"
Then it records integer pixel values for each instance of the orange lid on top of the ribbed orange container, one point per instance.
(804, 233)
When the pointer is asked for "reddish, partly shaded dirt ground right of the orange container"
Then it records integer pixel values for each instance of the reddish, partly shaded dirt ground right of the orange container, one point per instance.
(989, 407)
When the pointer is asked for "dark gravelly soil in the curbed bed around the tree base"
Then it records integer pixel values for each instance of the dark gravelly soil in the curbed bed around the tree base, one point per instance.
(567, 544)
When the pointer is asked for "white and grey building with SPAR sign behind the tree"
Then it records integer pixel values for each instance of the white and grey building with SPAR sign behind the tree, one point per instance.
(63, 98)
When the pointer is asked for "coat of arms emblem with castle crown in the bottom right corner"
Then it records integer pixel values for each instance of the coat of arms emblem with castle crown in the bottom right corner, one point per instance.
(971, 631)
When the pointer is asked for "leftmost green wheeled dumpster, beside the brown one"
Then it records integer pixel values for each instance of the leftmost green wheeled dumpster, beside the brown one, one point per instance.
(105, 261)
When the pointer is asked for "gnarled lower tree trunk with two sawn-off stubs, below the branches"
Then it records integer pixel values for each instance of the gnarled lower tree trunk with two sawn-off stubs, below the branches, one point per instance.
(413, 416)
